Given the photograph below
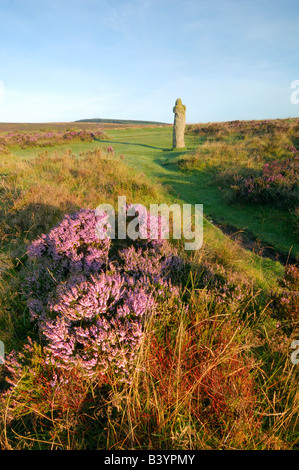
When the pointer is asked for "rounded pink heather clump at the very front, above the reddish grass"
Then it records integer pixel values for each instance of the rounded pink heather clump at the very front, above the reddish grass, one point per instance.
(96, 322)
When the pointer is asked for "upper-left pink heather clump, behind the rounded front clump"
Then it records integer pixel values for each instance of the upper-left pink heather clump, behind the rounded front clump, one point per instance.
(70, 248)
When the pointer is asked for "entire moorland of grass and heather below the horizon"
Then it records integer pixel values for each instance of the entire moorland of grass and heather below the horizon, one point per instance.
(214, 367)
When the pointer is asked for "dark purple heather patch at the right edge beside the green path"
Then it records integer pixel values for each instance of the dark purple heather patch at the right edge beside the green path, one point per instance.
(278, 182)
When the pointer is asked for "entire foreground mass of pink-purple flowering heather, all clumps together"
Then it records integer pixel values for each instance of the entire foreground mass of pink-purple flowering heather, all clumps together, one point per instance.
(90, 307)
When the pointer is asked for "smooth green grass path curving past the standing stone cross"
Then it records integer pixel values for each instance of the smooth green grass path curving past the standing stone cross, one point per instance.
(148, 150)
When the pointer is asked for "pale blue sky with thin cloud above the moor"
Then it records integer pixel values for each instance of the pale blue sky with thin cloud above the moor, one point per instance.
(65, 60)
